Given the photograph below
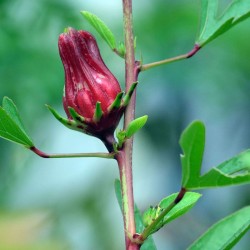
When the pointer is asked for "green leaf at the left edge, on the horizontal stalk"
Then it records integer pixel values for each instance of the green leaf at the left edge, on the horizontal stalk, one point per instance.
(11, 126)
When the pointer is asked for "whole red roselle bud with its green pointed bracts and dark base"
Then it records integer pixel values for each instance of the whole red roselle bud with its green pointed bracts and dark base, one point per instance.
(93, 100)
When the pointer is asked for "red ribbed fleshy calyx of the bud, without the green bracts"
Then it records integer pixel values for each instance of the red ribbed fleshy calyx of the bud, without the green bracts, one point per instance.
(87, 79)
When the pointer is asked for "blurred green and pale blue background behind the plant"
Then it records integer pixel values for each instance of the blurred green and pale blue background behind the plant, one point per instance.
(70, 203)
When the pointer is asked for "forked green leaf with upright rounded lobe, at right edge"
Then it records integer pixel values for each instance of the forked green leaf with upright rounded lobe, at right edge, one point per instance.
(234, 171)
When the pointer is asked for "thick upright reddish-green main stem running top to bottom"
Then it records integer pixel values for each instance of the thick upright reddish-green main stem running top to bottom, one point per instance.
(124, 157)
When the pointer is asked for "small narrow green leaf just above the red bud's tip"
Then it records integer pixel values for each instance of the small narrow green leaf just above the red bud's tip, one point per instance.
(101, 28)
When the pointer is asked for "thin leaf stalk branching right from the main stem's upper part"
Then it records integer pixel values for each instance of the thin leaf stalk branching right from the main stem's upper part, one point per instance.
(170, 60)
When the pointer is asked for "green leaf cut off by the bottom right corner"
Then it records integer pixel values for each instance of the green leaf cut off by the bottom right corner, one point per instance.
(226, 233)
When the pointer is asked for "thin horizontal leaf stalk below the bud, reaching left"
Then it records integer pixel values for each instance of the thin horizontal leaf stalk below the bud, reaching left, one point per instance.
(99, 155)
